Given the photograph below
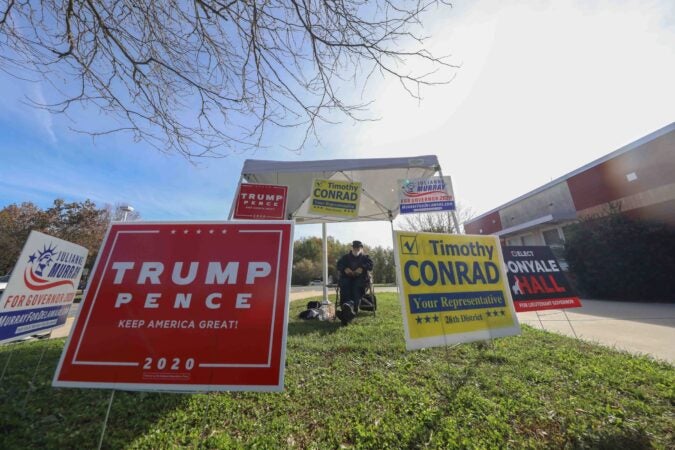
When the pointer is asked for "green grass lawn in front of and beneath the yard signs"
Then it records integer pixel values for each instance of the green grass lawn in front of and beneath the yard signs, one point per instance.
(356, 386)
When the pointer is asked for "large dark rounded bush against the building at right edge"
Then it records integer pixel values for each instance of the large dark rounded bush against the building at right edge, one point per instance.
(617, 257)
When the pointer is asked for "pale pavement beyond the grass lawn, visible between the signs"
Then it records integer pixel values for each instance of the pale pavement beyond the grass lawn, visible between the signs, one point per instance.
(641, 328)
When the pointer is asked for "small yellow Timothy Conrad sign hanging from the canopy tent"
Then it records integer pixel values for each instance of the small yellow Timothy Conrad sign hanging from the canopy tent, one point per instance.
(335, 198)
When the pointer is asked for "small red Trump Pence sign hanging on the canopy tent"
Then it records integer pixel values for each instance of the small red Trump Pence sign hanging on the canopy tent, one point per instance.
(260, 201)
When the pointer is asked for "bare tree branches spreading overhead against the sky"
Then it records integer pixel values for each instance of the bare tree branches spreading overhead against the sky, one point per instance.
(209, 77)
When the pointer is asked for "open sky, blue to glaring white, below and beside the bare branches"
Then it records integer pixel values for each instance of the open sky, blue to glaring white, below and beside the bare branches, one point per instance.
(544, 87)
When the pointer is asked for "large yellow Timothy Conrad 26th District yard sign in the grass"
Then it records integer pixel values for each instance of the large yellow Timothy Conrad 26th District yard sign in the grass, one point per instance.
(453, 289)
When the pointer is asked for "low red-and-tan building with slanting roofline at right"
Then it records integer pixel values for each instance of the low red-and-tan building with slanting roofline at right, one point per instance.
(639, 176)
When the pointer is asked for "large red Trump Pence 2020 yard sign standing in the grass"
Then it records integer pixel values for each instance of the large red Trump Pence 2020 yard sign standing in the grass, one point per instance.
(184, 307)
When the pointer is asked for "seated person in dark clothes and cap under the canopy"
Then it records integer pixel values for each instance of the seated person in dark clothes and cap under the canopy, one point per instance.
(353, 268)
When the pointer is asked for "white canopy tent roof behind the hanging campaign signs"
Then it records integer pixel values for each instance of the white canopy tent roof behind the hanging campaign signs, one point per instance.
(378, 177)
